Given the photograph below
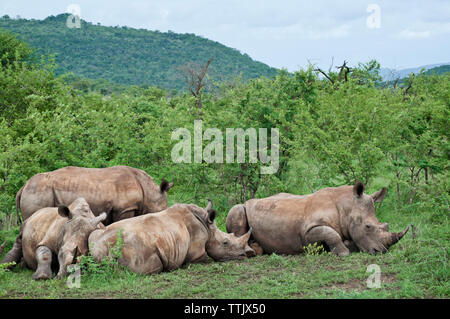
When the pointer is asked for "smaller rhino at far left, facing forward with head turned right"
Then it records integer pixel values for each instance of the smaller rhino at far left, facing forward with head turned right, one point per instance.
(57, 231)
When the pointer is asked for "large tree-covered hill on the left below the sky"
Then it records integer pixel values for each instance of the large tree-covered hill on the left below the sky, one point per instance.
(131, 56)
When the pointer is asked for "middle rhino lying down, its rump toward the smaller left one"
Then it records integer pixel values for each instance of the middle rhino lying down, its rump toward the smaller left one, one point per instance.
(183, 233)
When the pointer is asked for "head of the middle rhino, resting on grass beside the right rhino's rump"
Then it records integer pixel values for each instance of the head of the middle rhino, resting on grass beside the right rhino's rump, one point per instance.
(223, 246)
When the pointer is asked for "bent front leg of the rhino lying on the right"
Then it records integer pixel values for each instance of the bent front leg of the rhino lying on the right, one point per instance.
(330, 237)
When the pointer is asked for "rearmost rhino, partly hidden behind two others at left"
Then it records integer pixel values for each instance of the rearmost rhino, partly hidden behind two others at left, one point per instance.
(120, 191)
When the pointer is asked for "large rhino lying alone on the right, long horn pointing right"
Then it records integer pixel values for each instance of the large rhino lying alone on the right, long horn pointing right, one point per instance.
(341, 218)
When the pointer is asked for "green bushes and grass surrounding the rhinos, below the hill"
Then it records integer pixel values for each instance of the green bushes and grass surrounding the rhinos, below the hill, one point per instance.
(331, 133)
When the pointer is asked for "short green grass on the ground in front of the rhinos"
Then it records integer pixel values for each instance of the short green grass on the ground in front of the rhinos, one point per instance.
(416, 267)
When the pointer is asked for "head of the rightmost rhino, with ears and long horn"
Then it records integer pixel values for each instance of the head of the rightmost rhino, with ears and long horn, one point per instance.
(364, 228)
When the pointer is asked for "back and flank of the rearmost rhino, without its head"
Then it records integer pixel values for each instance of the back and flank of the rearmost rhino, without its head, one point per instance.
(105, 189)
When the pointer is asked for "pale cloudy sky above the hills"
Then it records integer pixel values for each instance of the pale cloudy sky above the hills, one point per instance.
(283, 33)
